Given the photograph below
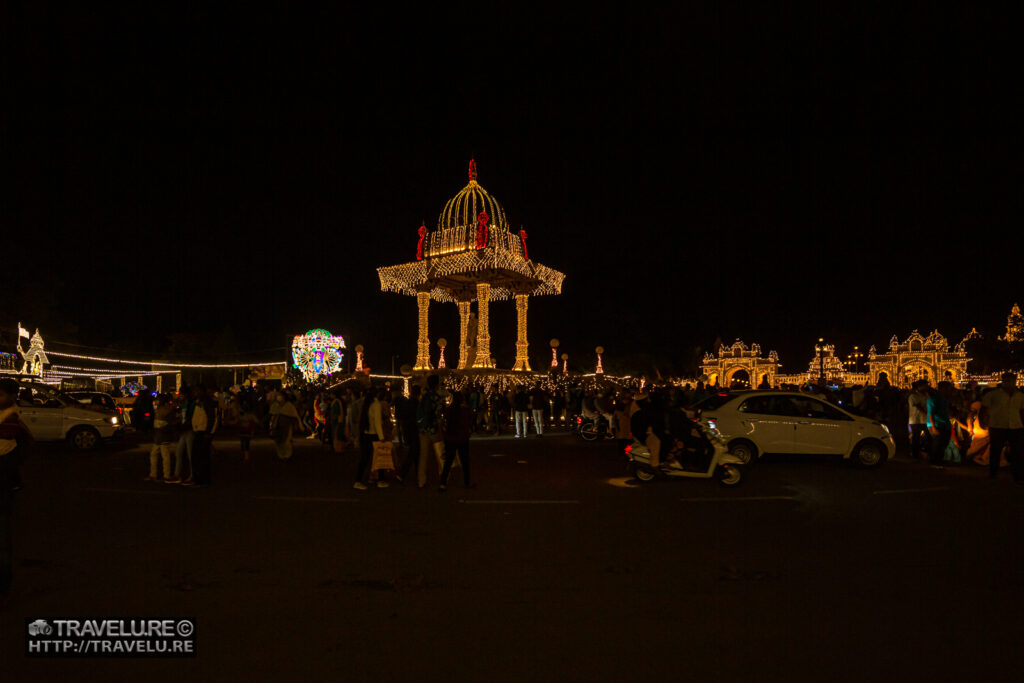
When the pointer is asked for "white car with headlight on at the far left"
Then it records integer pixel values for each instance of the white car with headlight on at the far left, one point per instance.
(54, 416)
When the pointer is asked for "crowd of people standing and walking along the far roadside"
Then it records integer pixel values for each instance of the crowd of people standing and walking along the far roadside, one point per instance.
(398, 436)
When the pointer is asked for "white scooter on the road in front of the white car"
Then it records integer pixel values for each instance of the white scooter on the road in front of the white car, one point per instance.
(722, 465)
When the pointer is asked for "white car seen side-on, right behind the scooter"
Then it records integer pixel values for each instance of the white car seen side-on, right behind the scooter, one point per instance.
(759, 422)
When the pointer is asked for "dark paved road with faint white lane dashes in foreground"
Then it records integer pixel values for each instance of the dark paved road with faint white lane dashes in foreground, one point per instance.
(554, 569)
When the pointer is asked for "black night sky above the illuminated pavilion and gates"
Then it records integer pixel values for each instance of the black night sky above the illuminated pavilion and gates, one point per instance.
(702, 174)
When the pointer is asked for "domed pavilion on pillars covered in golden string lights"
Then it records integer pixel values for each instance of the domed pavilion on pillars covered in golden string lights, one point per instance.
(473, 255)
